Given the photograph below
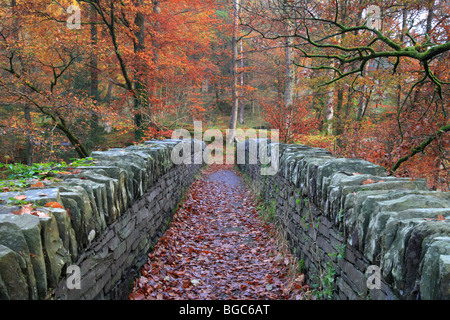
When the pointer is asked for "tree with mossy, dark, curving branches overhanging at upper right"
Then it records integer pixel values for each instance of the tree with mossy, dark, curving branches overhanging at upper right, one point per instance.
(339, 38)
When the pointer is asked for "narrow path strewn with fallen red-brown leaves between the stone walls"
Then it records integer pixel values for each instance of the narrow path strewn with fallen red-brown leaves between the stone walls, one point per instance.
(218, 247)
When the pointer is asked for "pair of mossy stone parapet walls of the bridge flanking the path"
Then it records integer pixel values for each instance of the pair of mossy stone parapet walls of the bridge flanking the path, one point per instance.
(342, 217)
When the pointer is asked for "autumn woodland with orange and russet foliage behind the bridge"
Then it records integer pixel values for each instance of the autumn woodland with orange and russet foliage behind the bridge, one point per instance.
(319, 71)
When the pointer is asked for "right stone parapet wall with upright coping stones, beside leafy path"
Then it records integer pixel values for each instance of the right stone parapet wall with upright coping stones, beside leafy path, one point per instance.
(341, 216)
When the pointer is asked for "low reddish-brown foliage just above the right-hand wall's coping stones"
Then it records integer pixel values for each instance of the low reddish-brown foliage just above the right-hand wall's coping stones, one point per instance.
(383, 143)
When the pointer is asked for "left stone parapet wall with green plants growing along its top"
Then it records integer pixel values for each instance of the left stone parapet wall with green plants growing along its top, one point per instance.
(112, 213)
